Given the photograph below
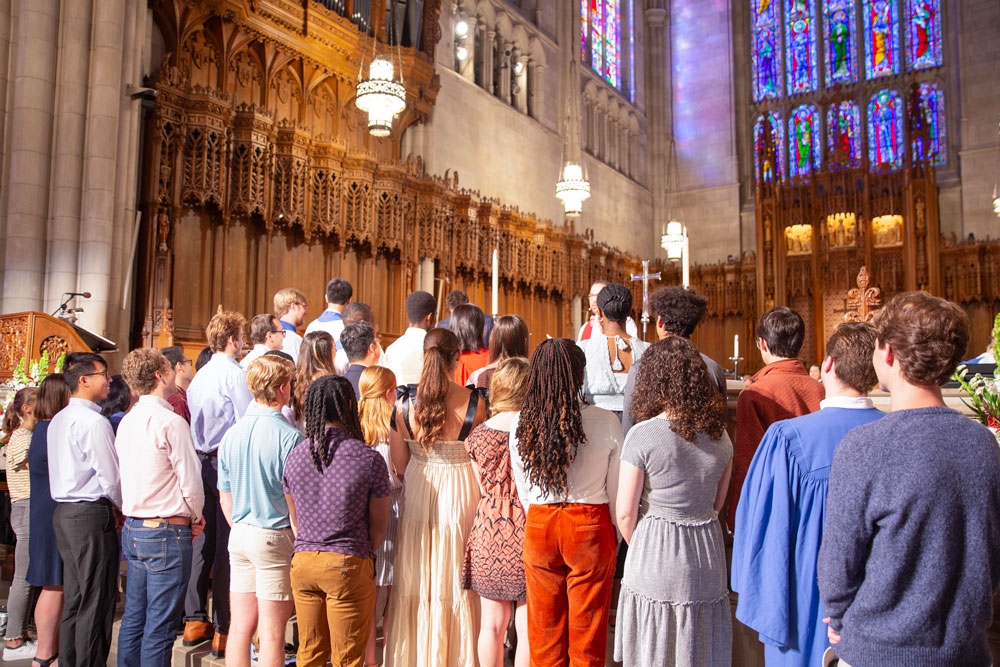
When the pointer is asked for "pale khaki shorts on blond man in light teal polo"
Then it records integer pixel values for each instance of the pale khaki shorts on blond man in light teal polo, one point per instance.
(260, 561)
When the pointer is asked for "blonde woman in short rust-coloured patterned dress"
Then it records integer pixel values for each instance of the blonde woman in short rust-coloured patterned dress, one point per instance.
(494, 565)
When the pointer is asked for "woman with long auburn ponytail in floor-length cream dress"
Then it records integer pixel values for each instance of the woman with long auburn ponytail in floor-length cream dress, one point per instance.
(432, 621)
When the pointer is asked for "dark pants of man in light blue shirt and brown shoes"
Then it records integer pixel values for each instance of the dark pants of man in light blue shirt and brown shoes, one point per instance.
(215, 552)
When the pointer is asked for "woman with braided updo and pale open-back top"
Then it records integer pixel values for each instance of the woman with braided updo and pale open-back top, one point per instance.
(611, 351)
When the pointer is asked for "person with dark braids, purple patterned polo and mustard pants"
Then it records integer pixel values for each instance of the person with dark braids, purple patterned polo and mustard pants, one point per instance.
(338, 498)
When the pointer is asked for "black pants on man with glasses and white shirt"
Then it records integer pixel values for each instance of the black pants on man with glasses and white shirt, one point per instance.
(90, 550)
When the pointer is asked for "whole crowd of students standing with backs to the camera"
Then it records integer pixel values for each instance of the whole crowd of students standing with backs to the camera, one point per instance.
(430, 492)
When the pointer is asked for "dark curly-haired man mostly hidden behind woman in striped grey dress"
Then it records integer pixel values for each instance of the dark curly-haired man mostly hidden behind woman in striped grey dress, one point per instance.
(677, 310)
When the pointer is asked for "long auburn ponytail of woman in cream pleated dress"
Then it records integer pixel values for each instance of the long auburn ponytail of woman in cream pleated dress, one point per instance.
(441, 349)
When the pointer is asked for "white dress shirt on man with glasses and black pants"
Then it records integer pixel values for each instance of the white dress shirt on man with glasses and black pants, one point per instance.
(83, 465)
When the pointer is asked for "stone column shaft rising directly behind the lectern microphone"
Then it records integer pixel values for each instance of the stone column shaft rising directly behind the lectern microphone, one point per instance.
(101, 159)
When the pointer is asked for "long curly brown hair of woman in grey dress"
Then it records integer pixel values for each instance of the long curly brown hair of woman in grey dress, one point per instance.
(673, 379)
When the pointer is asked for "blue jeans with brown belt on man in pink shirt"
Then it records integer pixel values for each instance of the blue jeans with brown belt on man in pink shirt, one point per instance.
(159, 566)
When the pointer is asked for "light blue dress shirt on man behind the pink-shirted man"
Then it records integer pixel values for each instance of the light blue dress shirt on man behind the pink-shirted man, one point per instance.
(217, 397)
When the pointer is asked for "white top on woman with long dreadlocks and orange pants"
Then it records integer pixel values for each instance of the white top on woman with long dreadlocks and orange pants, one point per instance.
(592, 478)
